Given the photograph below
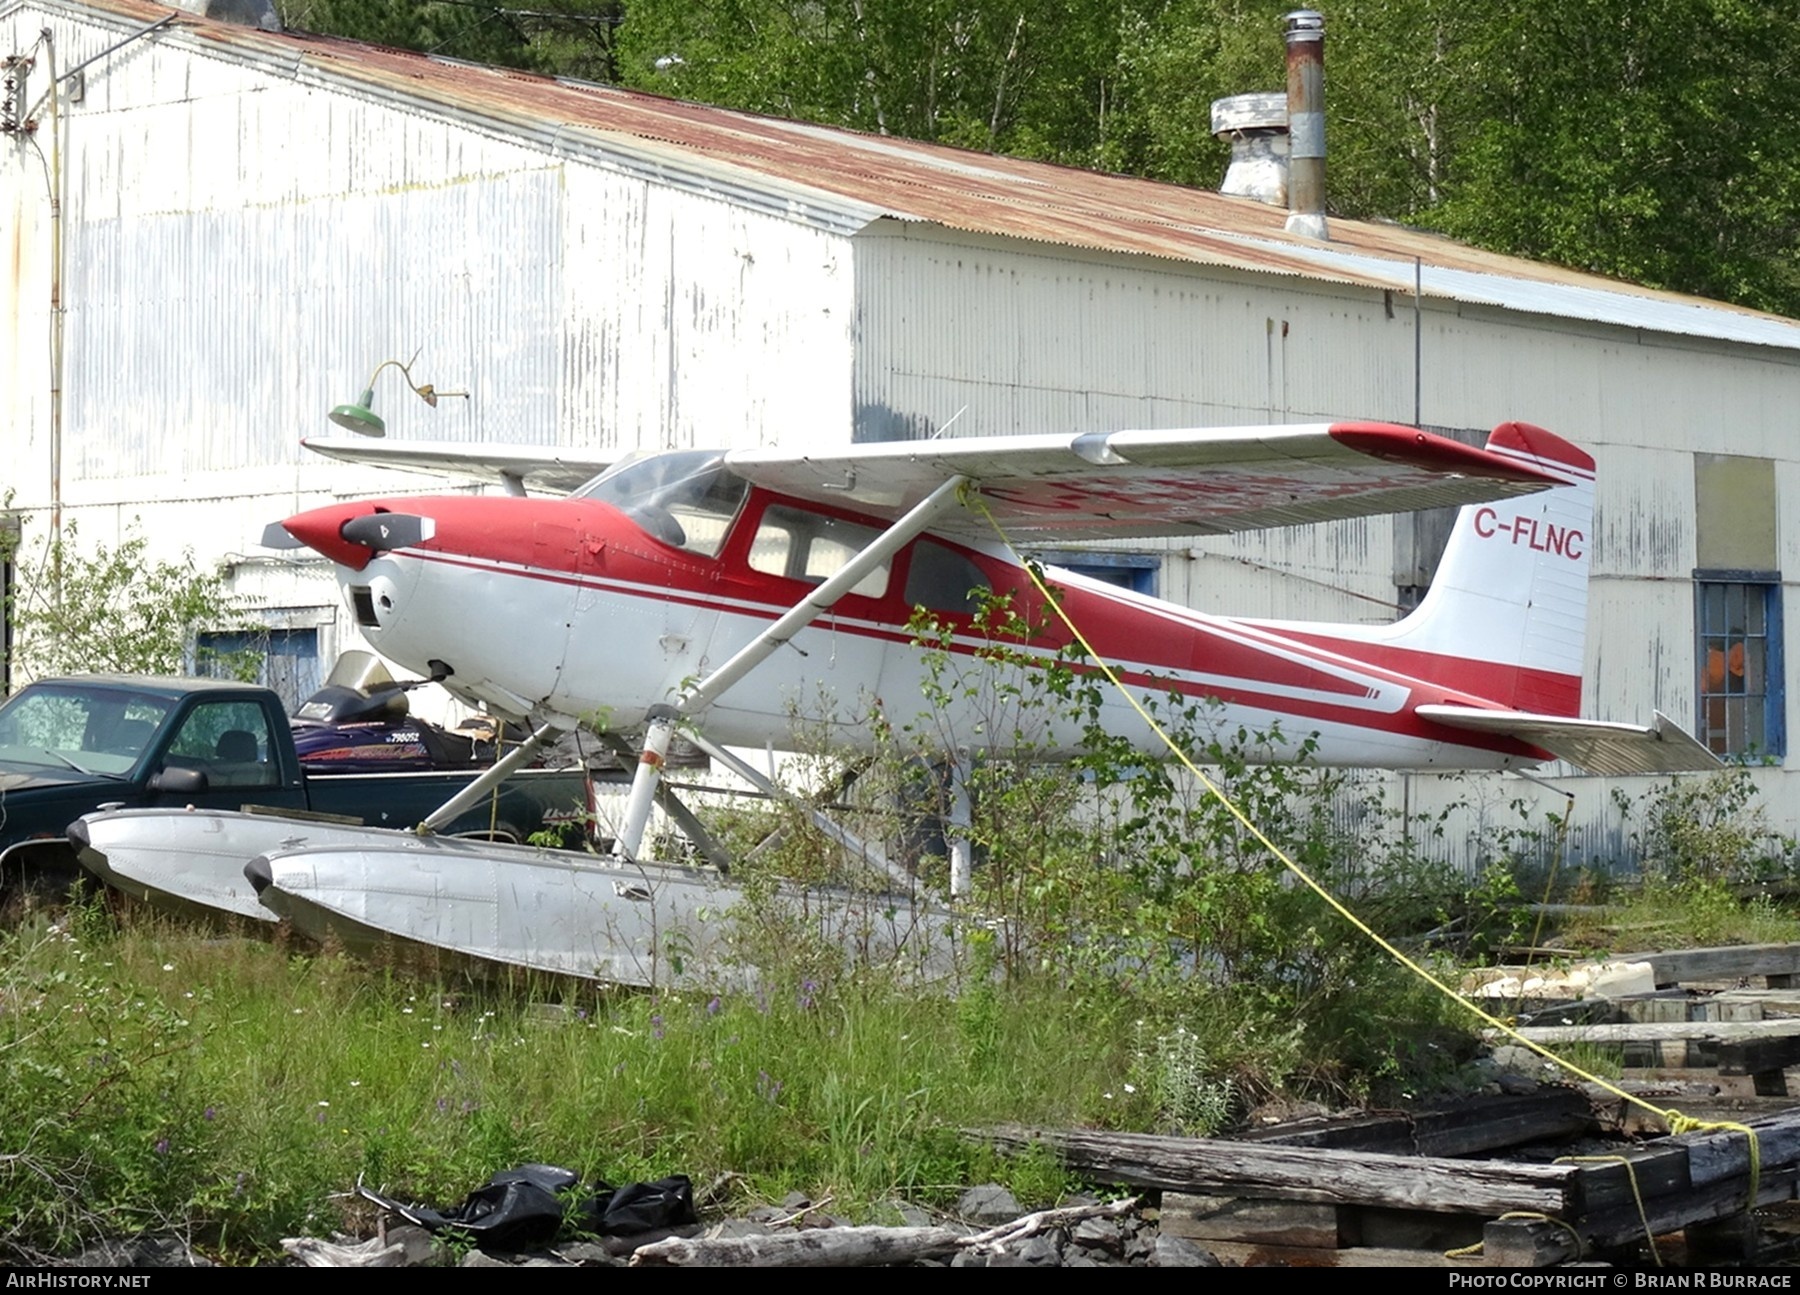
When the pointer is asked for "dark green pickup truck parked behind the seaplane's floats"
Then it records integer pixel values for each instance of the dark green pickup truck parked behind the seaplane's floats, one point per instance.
(71, 747)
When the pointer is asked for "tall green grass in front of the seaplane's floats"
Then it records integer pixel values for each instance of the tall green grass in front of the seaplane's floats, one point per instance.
(159, 1076)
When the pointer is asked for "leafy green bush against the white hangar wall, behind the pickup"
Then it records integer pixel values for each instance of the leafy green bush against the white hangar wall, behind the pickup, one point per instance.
(118, 611)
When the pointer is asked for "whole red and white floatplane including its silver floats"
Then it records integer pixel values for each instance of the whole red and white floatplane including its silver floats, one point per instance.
(723, 592)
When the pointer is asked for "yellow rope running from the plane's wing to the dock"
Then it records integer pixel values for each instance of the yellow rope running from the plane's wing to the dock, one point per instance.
(1675, 1121)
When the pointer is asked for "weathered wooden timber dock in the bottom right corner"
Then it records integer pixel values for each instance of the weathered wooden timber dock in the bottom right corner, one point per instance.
(1381, 1191)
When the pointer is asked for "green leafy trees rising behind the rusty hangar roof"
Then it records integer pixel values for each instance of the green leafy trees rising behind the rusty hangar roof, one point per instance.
(1657, 145)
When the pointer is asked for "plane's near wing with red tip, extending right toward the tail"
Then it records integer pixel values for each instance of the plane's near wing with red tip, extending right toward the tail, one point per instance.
(1176, 482)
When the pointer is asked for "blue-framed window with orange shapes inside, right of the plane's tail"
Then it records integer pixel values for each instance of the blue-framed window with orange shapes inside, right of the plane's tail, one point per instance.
(1740, 649)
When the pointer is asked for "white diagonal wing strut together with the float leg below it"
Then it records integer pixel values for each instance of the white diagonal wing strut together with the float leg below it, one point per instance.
(703, 694)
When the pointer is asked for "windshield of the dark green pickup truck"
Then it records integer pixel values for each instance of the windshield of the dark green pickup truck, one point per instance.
(87, 729)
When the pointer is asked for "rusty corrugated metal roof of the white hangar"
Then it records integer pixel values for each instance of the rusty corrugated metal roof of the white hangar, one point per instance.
(847, 179)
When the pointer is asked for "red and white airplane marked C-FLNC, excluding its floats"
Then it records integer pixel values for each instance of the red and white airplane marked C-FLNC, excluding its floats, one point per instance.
(724, 588)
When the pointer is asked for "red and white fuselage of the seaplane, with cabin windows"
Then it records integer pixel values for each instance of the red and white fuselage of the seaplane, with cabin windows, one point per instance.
(600, 606)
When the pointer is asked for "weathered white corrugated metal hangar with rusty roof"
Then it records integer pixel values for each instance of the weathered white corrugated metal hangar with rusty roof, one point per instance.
(215, 231)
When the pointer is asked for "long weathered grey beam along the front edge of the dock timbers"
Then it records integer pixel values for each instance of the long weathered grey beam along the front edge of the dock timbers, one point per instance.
(1210, 1166)
